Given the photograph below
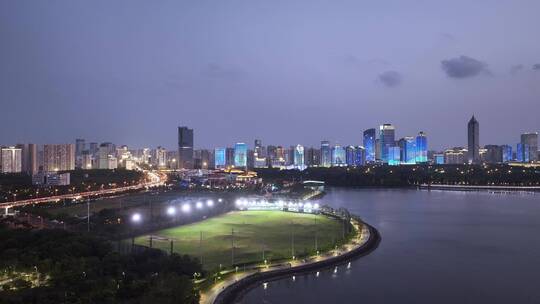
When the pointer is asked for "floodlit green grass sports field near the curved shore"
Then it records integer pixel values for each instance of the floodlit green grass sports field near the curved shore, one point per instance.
(253, 231)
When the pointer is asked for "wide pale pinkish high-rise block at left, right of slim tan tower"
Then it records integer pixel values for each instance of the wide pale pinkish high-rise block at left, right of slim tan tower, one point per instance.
(58, 157)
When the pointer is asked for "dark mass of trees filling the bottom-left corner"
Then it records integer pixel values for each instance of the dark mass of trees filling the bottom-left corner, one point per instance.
(55, 266)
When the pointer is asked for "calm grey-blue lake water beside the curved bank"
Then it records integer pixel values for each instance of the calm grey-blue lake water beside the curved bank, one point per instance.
(437, 247)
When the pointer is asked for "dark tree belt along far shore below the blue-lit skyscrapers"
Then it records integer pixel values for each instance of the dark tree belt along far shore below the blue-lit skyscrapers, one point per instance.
(402, 176)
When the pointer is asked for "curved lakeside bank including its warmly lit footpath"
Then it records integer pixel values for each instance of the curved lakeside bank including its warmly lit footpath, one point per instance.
(366, 240)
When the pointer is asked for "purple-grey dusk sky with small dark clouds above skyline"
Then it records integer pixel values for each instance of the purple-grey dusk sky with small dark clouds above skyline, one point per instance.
(286, 72)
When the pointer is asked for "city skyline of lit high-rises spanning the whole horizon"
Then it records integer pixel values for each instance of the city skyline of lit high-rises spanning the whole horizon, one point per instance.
(378, 146)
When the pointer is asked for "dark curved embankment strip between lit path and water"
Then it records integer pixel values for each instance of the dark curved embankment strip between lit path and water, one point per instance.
(237, 289)
